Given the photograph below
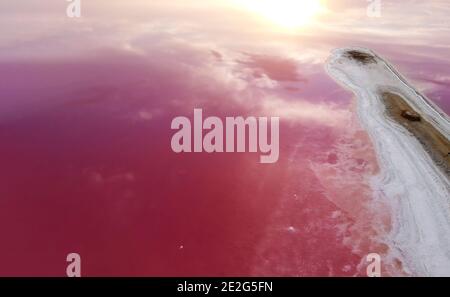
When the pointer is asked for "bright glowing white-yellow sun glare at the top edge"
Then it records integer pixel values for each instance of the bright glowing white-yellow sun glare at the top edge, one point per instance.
(285, 13)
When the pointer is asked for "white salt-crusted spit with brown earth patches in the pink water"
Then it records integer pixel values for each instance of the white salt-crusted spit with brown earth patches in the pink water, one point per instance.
(411, 137)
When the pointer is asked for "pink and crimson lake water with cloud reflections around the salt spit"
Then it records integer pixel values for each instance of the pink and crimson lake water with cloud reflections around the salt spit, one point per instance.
(85, 113)
